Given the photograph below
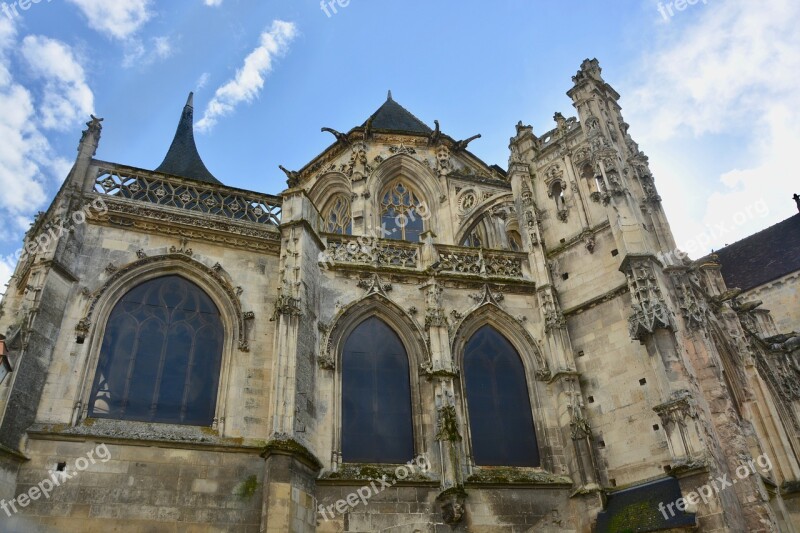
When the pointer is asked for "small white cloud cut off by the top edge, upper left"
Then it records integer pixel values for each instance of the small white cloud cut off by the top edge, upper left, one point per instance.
(119, 19)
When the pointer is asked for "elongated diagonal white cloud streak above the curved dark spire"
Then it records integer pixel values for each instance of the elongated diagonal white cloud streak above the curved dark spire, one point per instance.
(249, 79)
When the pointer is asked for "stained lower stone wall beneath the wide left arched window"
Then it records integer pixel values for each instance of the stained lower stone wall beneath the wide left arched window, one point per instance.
(143, 488)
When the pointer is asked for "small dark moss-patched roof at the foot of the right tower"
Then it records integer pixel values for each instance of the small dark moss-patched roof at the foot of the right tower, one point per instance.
(637, 509)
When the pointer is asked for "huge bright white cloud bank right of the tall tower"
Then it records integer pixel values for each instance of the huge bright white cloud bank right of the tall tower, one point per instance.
(724, 68)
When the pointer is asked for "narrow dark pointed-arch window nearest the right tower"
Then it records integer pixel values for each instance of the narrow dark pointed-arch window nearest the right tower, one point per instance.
(499, 407)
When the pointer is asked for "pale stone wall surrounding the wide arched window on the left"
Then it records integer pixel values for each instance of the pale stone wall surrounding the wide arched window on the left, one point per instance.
(246, 398)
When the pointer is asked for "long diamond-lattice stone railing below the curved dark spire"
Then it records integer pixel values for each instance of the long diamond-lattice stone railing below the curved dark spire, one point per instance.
(124, 182)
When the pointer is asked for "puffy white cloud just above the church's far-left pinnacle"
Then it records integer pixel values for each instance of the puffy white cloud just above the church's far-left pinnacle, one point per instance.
(67, 97)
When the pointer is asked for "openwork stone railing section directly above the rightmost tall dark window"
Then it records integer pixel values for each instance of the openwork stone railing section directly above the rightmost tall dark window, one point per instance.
(481, 262)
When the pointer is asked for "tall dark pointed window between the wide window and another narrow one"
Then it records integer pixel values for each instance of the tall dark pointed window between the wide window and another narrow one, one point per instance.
(376, 396)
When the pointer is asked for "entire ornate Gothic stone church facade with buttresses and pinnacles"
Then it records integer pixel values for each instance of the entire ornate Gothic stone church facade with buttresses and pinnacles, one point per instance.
(637, 370)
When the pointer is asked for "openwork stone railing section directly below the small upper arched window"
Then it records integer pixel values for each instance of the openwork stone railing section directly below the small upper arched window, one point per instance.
(355, 250)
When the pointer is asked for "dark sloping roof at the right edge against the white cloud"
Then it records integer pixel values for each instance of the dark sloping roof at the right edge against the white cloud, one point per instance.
(763, 257)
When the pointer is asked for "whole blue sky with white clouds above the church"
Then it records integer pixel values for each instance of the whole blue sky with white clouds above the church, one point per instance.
(710, 92)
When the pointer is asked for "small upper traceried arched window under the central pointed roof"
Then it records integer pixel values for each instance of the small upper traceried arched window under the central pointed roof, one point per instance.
(401, 213)
